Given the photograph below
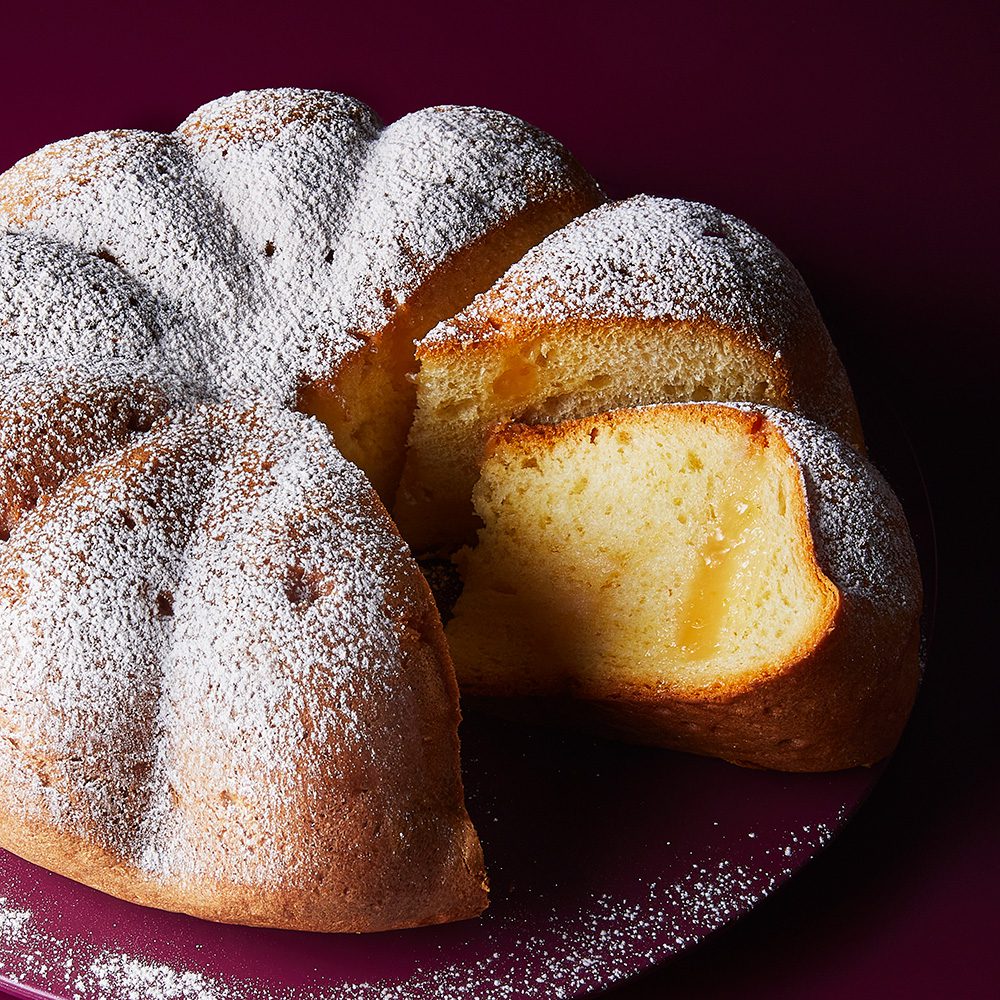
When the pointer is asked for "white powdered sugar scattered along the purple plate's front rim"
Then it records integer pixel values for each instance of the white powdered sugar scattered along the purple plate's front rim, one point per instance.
(608, 938)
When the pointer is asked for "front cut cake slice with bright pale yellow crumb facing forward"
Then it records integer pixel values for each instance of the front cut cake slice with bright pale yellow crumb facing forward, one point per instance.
(733, 581)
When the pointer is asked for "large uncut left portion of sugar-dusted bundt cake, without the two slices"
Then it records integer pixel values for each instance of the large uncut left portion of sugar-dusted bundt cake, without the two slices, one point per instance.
(225, 689)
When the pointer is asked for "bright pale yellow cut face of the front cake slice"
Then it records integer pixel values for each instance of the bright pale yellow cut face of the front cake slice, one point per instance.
(662, 546)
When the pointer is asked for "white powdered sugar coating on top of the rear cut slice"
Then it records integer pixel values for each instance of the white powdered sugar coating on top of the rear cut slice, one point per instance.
(655, 258)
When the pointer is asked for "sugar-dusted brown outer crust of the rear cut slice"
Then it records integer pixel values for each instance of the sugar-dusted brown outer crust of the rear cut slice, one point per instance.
(669, 261)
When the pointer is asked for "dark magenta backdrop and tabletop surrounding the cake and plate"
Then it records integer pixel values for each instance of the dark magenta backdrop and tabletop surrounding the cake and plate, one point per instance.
(865, 144)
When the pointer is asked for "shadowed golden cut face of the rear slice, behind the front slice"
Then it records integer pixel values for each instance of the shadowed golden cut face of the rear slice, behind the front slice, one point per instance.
(573, 369)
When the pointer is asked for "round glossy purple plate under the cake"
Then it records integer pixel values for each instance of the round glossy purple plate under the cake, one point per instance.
(604, 860)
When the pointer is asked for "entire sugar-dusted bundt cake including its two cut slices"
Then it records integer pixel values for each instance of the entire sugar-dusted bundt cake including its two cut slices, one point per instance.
(225, 688)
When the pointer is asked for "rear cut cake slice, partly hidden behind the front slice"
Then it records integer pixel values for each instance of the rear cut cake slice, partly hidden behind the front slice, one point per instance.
(648, 300)
